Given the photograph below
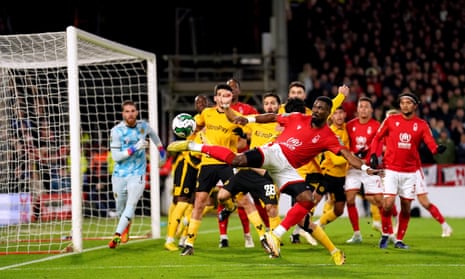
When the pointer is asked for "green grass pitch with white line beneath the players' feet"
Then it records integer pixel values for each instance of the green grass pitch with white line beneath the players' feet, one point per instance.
(429, 256)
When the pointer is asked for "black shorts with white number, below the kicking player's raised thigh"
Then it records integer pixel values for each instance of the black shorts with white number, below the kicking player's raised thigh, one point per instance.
(259, 186)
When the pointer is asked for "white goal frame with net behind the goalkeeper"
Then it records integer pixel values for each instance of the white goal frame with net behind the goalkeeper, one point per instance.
(60, 94)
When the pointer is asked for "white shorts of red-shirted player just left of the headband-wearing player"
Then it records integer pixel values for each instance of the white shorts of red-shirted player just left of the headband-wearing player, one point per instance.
(371, 183)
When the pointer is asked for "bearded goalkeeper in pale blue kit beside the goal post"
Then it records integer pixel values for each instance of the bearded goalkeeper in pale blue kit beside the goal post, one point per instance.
(128, 145)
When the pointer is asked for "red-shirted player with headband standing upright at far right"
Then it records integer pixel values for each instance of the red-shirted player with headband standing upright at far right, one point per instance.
(402, 135)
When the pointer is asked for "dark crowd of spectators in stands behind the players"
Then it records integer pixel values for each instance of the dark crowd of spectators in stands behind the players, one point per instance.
(381, 48)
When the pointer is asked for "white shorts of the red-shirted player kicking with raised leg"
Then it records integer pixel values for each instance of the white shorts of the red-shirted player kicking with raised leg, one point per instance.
(278, 166)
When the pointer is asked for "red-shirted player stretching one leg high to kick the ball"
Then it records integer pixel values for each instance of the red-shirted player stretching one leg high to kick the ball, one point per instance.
(303, 137)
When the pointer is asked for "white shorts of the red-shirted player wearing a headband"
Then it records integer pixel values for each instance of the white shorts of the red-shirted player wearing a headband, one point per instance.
(400, 183)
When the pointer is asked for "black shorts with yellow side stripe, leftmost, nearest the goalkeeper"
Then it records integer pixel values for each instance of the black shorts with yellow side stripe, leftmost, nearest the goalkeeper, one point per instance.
(184, 178)
